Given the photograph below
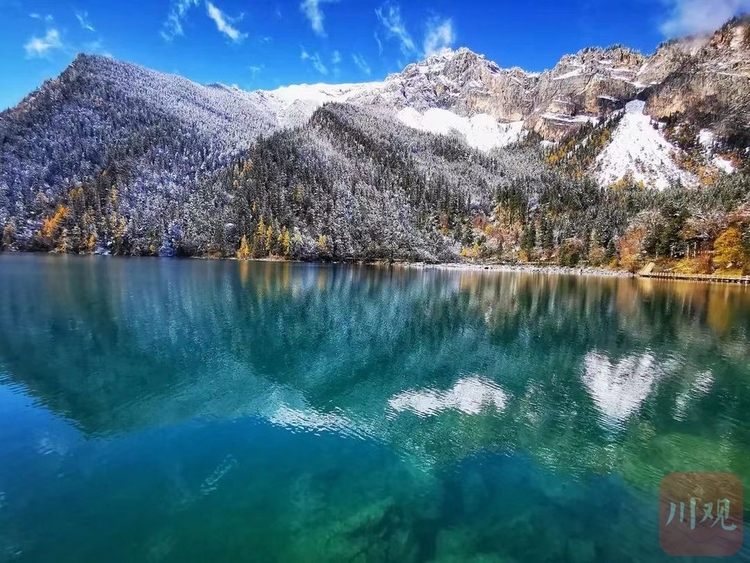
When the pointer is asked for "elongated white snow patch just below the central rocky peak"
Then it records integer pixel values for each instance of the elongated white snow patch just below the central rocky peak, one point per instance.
(481, 131)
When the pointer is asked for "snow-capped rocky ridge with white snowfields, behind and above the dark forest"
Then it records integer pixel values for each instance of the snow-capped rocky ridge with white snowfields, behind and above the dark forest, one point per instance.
(699, 79)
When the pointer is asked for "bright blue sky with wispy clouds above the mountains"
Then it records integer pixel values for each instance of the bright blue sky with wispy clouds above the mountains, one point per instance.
(267, 43)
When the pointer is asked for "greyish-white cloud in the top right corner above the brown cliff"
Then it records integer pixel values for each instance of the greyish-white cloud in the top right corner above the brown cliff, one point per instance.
(687, 17)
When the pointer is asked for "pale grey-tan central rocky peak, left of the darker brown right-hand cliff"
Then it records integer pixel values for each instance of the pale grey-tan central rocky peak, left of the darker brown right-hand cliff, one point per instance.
(579, 89)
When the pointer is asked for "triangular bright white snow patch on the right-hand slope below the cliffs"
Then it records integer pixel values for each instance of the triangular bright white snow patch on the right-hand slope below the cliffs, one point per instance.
(640, 150)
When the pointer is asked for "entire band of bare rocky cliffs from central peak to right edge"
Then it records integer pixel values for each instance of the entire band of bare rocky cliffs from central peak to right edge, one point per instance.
(703, 78)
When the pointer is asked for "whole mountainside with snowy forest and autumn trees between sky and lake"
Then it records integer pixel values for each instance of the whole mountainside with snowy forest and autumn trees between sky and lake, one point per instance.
(113, 158)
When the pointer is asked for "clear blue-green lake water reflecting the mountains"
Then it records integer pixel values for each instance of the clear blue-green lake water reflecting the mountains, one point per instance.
(165, 410)
